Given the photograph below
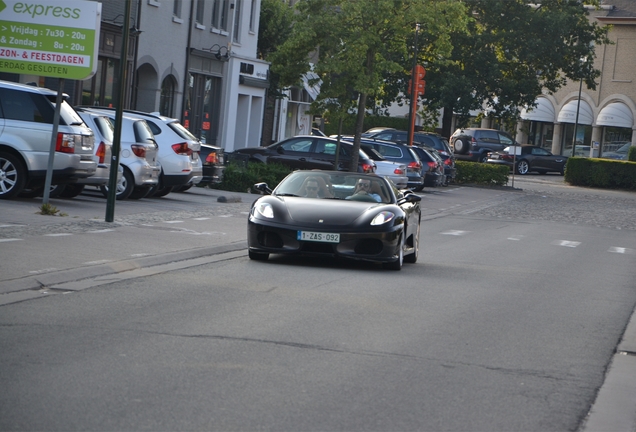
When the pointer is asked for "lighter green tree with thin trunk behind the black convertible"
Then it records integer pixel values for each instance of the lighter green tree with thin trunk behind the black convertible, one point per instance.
(356, 44)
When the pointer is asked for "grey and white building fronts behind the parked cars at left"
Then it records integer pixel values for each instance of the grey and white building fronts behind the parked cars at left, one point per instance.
(194, 60)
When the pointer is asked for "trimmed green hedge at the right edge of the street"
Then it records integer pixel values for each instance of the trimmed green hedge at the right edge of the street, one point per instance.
(602, 173)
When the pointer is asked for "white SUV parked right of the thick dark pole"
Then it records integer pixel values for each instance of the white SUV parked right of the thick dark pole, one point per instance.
(178, 151)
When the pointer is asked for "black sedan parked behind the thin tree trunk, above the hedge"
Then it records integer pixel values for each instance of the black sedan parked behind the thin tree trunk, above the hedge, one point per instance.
(308, 152)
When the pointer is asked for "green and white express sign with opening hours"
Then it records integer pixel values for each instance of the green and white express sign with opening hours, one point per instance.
(55, 38)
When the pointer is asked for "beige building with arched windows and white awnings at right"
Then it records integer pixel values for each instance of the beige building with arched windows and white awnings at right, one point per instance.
(597, 121)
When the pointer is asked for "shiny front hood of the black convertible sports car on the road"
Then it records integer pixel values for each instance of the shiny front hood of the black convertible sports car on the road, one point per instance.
(326, 211)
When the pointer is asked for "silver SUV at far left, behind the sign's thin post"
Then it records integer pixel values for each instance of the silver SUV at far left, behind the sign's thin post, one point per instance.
(26, 125)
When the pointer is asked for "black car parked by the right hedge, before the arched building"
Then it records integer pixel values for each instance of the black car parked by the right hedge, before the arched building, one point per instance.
(527, 158)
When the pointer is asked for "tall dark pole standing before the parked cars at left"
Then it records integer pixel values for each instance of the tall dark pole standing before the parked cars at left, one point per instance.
(114, 163)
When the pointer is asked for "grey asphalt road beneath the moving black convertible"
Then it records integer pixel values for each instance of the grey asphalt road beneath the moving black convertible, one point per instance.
(508, 321)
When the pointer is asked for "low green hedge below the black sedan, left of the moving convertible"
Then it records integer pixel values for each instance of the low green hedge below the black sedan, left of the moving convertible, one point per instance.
(237, 178)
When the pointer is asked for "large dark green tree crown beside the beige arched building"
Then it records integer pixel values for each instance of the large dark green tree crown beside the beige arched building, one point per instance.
(513, 50)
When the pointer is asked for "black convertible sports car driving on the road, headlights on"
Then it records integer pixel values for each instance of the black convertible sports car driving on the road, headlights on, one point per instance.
(339, 214)
